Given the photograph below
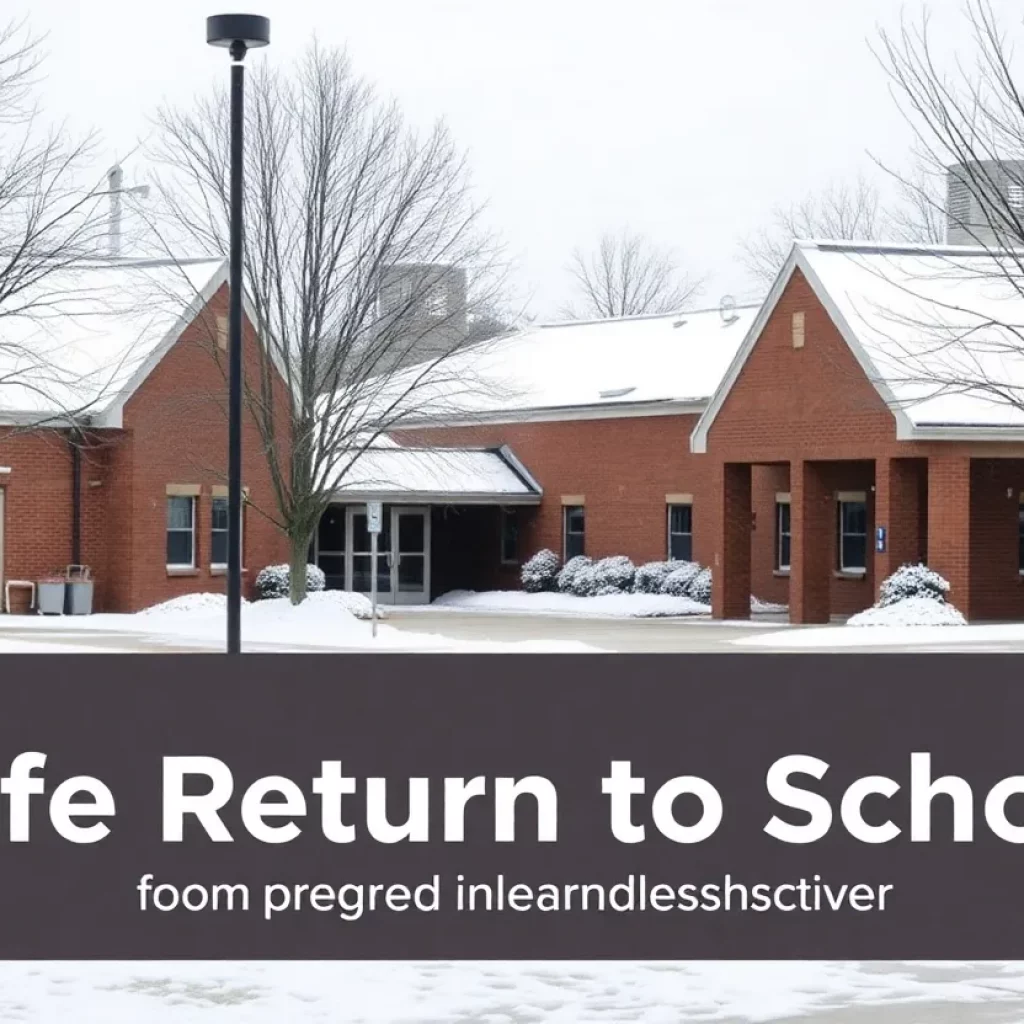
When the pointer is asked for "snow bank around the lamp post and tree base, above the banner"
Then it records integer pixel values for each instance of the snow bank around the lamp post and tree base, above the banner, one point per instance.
(323, 621)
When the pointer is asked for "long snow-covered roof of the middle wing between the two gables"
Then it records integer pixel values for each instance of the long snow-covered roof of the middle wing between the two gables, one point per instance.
(610, 367)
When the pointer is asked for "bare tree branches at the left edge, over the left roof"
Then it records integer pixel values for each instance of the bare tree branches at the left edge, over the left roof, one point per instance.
(52, 227)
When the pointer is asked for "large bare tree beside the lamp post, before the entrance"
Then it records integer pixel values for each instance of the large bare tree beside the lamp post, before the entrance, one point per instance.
(365, 258)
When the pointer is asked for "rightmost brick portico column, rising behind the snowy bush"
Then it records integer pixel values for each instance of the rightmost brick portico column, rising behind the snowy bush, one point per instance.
(950, 525)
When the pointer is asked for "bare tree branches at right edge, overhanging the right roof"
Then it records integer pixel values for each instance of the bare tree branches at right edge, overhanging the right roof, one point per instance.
(968, 121)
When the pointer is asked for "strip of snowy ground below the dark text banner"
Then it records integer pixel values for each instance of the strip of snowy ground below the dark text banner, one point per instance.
(472, 993)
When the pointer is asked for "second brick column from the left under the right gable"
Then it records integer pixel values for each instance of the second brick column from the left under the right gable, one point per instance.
(813, 522)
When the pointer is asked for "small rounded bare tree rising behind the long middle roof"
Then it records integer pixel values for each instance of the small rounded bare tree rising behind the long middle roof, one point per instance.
(628, 276)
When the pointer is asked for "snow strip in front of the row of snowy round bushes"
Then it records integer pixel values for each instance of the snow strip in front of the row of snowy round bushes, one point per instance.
(605, 607)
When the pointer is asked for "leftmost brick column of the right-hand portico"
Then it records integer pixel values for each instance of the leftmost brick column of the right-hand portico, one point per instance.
(732, 570)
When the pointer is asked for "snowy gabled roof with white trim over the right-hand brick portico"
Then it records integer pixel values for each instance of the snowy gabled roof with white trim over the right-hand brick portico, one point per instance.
(938, 331)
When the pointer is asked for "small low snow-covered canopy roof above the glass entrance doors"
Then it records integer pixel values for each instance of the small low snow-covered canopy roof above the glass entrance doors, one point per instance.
(390, 473)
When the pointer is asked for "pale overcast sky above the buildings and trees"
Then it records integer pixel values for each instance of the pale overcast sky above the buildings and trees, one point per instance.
(687, 120)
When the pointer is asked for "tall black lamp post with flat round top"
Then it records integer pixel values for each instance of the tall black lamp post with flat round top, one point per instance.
(239, 34)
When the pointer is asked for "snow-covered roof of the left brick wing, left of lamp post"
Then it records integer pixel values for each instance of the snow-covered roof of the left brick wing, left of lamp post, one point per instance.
(81, 340)
